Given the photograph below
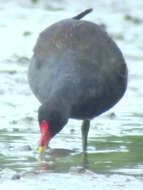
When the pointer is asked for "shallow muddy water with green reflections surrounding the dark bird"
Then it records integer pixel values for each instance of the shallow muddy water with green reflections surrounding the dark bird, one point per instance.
(115, 153)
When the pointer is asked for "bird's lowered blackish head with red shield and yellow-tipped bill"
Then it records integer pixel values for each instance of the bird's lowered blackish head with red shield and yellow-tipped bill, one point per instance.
(51, 121)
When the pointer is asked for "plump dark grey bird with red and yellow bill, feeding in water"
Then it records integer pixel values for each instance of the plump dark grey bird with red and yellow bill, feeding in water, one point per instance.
(76, 71)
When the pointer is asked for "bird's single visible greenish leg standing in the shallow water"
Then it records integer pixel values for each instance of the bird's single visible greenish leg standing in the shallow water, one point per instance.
(84, 130)
